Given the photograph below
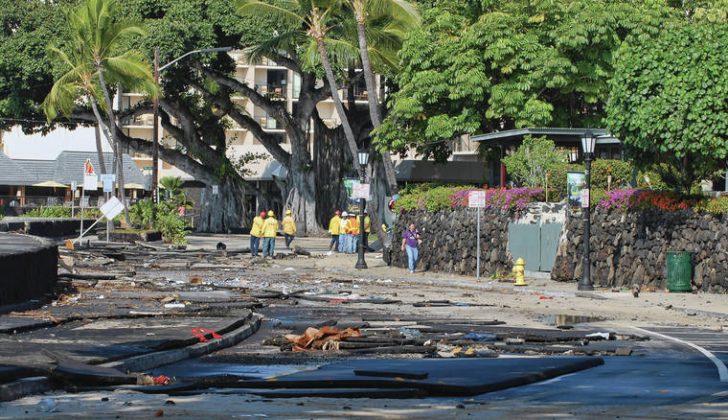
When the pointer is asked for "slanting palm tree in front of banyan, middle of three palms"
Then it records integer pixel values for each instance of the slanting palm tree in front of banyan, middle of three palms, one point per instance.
(314, 17)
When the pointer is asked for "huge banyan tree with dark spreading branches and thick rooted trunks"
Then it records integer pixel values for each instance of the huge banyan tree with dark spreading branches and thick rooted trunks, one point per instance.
(198, 101)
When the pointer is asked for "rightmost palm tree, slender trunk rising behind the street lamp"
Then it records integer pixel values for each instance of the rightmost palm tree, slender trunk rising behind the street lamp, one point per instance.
(403, 17)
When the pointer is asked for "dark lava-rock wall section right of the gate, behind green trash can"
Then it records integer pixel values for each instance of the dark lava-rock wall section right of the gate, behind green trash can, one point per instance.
(630, 248)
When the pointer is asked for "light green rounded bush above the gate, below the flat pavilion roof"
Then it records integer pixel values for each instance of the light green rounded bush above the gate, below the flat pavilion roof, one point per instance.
(533, 160)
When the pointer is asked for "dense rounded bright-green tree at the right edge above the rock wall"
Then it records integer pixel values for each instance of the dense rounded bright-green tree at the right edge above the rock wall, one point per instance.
(668, 101)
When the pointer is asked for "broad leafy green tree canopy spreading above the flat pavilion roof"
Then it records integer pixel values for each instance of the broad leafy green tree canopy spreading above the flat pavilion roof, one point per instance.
(479, 66)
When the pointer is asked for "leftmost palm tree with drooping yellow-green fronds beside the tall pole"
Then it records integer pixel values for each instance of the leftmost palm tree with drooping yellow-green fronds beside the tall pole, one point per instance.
(98, 58)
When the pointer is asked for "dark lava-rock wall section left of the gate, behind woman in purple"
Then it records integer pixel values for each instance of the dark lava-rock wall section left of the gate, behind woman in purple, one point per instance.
(448, 240)
